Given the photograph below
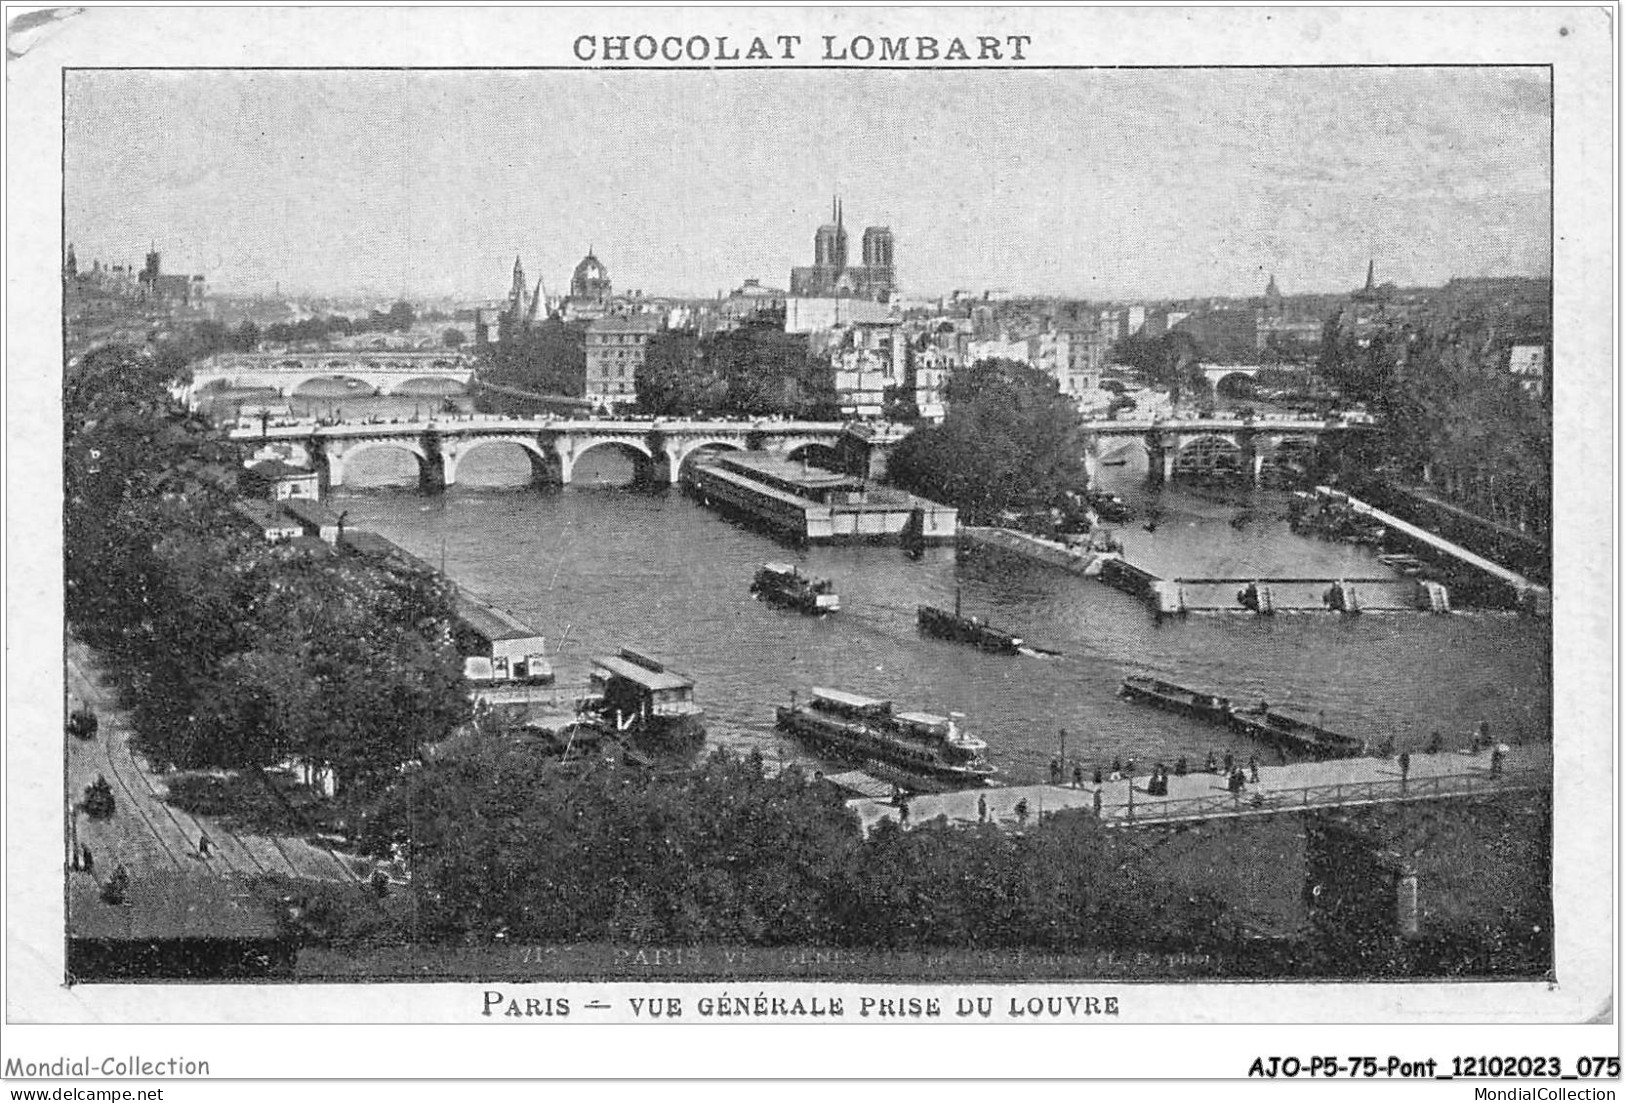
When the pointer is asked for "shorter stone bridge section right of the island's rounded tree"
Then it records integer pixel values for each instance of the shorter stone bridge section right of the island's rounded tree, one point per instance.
(1239, 448)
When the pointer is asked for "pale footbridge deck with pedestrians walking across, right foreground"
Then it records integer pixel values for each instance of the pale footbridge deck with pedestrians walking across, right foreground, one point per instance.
(1205, 797)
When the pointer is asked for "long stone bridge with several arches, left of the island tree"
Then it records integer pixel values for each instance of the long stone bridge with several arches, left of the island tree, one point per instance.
(659, 448)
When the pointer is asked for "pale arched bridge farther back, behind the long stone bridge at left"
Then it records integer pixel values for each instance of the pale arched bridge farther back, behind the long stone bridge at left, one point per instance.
(378, 371)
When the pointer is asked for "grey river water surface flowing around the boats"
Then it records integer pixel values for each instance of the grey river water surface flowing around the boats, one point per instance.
(600, 566)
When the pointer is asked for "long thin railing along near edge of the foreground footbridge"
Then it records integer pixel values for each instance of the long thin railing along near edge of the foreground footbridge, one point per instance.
(1337, 795)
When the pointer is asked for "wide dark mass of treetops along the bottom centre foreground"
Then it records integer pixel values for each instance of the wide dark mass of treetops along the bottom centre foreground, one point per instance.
(503, 847)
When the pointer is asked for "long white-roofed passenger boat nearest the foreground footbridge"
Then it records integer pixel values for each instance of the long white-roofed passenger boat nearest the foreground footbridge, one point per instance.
(917, 750)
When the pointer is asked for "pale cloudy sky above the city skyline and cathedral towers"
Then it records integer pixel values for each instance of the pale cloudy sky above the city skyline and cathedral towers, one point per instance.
(1103, 184)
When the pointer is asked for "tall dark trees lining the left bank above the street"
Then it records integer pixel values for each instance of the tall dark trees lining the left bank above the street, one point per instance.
(236, 652)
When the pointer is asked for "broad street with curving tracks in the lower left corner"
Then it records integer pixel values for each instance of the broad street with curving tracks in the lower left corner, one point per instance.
(186, 906)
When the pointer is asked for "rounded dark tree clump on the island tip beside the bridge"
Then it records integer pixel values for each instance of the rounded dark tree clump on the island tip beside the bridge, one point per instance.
(1010, 439)
